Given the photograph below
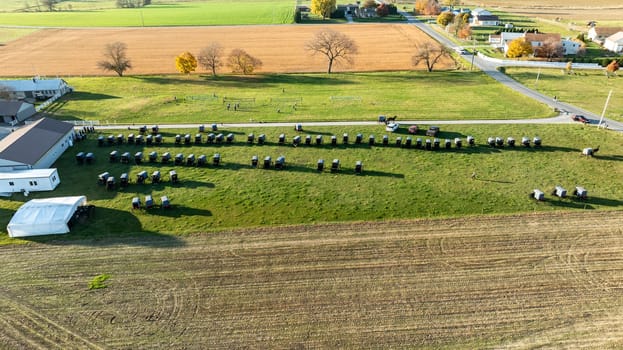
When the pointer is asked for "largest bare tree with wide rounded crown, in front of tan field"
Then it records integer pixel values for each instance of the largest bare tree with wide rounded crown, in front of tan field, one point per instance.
(335, 45)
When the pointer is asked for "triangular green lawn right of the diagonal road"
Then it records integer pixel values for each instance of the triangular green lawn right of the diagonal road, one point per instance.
(587, 89)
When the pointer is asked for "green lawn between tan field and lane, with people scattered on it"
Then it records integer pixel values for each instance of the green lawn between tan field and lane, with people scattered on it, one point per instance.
(297, 97)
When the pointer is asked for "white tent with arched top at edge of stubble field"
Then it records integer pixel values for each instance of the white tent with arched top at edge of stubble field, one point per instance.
(44, 216)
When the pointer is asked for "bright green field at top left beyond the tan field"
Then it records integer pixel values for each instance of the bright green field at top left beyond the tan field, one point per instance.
(161, 14)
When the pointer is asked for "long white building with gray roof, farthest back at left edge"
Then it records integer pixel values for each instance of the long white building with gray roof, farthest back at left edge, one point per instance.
(35, 88)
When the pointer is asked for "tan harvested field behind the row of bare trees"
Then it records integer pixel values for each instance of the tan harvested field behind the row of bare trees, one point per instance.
(281, 48)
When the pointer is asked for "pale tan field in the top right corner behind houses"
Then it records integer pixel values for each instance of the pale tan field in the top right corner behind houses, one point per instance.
(573, 10)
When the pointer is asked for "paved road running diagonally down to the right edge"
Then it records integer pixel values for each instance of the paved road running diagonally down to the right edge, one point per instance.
(491, 69)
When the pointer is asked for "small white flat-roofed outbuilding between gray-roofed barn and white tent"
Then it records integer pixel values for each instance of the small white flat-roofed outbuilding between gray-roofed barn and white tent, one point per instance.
(30, 180)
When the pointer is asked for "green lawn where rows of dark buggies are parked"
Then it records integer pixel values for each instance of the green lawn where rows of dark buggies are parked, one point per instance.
(397, 182)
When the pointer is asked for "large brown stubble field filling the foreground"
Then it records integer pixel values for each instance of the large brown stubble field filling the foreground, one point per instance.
(530, 281)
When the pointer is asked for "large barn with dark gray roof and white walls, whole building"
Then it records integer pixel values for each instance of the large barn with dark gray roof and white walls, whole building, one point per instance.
(35, 146)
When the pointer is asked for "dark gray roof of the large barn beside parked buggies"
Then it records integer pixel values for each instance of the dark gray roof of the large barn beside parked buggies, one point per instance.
(30, 143)
